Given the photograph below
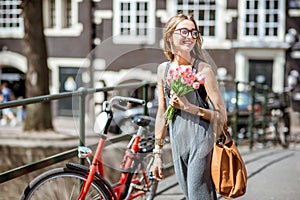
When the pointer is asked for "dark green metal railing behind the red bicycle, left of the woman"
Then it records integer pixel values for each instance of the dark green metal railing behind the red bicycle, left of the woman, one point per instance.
(81, 93)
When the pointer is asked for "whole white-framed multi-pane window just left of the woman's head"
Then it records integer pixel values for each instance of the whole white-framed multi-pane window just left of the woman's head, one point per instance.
(134, 21)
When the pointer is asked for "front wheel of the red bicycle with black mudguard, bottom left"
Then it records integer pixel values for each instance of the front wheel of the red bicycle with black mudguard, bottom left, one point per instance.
(62, 184)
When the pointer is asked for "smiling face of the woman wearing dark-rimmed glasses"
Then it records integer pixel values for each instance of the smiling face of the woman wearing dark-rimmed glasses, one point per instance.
(183, 36)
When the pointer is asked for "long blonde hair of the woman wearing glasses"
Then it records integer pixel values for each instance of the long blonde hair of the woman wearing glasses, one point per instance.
(168, 31)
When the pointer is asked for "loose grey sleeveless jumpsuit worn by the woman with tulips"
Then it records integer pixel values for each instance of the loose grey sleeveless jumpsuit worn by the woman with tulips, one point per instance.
(192, 142)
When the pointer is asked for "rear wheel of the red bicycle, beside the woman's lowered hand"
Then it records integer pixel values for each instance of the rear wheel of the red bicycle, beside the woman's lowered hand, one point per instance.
(147, 164)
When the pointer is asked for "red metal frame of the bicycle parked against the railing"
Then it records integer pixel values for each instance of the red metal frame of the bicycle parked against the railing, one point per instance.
(130, 163)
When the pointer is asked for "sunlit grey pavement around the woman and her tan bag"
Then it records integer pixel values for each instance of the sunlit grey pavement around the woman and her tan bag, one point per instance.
(273, 174)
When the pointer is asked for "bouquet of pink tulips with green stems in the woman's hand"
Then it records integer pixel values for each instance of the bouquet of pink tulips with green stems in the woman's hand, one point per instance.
(182, 80)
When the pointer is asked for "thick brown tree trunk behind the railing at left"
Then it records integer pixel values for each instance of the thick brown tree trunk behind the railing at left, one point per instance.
(38, 116)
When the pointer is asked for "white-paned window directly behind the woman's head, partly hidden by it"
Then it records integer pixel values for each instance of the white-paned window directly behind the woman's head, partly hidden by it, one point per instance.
(203, 11)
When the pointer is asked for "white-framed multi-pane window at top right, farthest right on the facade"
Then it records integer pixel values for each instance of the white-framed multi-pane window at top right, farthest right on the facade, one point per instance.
(262, 18)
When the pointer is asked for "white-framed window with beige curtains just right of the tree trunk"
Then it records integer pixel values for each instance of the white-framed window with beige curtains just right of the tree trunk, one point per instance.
(61, 17)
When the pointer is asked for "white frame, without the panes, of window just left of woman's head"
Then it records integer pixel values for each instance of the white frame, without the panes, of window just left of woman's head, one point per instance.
(149, 38)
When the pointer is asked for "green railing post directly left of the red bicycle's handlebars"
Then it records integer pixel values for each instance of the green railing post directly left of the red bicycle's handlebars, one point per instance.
(82, 119)
